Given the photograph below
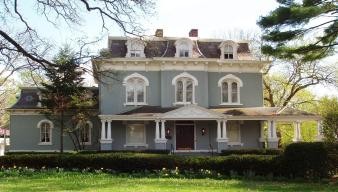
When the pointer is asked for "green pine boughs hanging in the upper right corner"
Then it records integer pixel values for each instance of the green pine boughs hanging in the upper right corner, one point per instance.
(295, 20)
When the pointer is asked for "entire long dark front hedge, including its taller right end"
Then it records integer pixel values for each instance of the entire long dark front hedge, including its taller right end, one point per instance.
(305, 160)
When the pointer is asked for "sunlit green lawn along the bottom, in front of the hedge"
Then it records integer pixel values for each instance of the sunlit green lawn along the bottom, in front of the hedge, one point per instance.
(76, 181)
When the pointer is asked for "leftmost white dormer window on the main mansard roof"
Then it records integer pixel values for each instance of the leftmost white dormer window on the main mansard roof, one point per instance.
(135, 48)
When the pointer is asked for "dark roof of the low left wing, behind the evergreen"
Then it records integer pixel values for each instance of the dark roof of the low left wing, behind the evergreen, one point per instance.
(29, 98)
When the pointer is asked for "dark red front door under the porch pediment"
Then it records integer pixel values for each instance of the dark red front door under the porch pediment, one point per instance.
(185, 136)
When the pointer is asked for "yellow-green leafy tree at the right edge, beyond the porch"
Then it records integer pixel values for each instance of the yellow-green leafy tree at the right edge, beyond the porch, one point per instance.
(328, 108)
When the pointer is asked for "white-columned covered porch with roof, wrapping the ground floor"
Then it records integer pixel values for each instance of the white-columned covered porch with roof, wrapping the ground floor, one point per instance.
(192, 128)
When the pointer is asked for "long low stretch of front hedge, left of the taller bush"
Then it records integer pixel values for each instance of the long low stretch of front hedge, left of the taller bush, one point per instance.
(124, 162)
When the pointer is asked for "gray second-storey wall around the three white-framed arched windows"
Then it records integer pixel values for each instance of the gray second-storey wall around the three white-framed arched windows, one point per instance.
(161, 92)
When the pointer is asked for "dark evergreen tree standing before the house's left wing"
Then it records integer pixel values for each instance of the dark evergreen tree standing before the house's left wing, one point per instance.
(65, 95)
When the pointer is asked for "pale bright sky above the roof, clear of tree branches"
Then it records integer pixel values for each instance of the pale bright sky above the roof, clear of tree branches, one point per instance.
(213, 19)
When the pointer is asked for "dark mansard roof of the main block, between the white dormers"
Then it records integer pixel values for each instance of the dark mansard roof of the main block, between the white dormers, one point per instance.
(166, 48)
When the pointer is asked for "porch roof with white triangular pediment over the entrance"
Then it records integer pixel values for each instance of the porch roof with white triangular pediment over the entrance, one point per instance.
(194, 112)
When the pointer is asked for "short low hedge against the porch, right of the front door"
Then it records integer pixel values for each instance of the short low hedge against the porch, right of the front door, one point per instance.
(252, 152)
